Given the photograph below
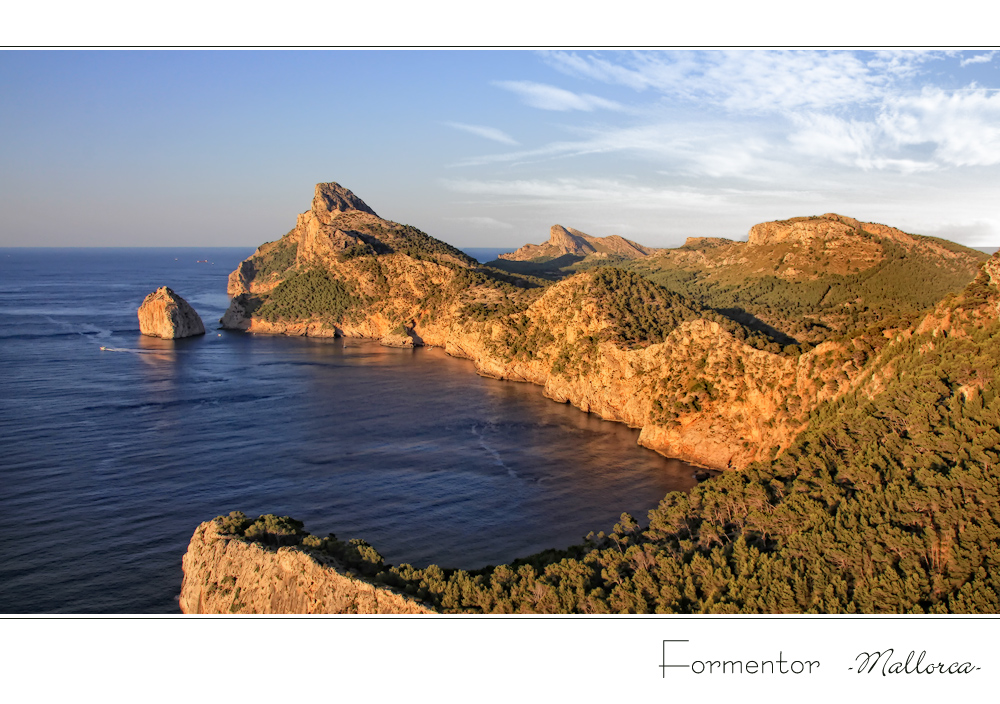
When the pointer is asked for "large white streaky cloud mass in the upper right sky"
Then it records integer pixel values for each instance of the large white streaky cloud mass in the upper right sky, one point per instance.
(857, 110)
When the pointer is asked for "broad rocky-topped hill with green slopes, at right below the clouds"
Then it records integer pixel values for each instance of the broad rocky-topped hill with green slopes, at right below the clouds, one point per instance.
(817, 278)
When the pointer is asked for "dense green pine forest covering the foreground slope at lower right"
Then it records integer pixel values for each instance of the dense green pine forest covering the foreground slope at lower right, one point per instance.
(884, 505)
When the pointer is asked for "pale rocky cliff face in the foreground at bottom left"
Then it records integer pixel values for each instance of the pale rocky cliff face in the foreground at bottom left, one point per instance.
(224, 574)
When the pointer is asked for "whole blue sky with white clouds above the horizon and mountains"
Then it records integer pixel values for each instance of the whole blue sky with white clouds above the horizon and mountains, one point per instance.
(491, 148)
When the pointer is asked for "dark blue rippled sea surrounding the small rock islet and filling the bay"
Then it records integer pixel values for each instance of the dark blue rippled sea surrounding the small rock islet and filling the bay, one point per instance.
(110, 458)
